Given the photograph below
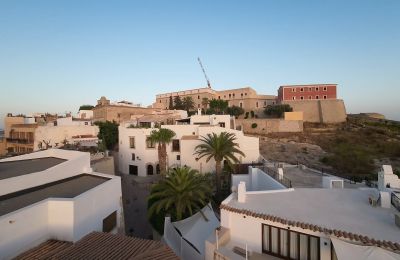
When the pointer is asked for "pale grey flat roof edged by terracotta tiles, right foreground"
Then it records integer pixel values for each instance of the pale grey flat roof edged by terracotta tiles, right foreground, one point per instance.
(336, 209)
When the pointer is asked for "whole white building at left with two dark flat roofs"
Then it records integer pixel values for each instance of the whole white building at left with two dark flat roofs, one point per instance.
(54, 194)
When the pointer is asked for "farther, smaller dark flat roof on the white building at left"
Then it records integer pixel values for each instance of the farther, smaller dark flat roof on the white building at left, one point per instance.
(9, 169)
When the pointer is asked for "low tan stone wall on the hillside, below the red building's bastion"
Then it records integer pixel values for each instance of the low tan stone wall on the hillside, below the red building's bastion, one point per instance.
(266, 126)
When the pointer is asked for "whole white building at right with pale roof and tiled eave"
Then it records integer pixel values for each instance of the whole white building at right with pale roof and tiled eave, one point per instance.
(305, 223)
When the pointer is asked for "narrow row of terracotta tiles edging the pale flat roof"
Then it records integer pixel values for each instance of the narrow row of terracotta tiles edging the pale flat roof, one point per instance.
(337, 233)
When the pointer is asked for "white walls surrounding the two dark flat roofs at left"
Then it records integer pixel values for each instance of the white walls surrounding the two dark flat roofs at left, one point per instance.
(66, 219)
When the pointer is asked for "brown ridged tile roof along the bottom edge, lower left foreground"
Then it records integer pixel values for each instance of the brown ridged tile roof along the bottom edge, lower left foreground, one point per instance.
(99, 246)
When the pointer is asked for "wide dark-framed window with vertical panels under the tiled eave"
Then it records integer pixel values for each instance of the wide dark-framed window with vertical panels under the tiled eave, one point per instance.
(289, 244)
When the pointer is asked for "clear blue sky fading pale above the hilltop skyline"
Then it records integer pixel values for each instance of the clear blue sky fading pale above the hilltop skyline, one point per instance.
(57, 55)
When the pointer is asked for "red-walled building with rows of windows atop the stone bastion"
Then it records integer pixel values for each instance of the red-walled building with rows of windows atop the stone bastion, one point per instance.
(307, 92)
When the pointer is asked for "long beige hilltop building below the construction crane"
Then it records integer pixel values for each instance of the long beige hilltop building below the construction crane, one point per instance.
(246, 98)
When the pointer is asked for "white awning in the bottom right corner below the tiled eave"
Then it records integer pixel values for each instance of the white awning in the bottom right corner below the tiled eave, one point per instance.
(345, 250)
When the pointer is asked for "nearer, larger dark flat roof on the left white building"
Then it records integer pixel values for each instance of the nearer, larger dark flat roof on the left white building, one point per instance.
(66, 188)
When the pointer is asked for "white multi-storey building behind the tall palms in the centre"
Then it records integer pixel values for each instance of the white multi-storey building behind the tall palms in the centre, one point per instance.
(139, 157)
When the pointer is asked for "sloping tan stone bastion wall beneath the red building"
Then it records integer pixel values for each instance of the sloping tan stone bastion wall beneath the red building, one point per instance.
(320, 111)
